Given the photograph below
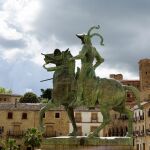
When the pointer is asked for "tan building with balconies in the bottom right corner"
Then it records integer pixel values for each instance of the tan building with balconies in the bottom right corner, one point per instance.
(141, 127)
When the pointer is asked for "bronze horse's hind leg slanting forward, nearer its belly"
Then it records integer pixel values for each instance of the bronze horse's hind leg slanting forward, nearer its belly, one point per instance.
(106, 120)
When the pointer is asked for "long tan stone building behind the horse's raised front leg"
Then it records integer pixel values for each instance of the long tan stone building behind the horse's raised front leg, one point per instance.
(16, 118)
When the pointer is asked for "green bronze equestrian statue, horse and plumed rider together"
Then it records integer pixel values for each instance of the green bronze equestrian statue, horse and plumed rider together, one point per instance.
(72, 89)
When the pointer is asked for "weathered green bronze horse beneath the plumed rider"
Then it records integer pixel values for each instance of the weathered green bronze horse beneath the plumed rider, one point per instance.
(110, 94)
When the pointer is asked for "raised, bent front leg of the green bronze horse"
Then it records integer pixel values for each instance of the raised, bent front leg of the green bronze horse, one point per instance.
(42, 112)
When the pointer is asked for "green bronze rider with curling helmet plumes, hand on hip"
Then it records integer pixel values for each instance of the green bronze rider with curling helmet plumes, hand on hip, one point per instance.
(87, 55)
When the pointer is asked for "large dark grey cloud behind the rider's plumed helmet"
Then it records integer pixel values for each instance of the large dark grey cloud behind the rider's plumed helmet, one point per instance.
(120, 24)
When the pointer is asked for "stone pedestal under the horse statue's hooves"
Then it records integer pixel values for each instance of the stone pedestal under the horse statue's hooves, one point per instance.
(85, 143)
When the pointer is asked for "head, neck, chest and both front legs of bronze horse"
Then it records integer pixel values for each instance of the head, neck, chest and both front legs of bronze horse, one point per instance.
(63, 84)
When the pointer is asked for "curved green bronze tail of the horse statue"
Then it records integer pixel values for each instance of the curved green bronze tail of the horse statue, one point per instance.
(136, 93)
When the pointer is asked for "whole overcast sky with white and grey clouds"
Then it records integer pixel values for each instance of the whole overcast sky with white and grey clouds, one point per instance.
(29, 27)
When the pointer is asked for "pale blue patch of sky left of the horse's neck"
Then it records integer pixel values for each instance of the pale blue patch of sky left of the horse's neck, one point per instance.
(22, 75)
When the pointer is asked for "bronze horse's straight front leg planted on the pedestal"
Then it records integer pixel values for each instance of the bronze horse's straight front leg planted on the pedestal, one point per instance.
(70, 112)
